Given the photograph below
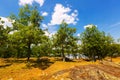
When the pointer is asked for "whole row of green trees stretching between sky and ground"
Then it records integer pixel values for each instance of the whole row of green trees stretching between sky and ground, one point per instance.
(27, 39)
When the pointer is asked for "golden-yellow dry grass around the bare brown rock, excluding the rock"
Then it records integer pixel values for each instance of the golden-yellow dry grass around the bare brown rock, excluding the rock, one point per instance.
(19, 69)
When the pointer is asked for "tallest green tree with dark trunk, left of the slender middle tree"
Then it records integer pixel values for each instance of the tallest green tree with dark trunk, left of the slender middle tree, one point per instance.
(27, 27)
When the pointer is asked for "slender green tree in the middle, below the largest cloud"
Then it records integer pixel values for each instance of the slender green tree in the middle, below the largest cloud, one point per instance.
(64, 38)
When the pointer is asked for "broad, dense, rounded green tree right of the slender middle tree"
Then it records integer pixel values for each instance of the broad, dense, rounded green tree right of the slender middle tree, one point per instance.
(95, 43)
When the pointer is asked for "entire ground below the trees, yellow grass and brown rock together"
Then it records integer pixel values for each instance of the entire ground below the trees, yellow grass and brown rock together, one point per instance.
(54, 69)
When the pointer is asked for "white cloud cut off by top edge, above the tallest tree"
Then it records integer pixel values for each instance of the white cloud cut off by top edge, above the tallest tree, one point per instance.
(23, 2)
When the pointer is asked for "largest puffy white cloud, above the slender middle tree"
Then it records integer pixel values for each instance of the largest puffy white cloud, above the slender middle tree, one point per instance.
(63, 13)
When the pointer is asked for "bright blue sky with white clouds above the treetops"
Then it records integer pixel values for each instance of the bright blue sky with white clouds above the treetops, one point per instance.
(105, 14)
